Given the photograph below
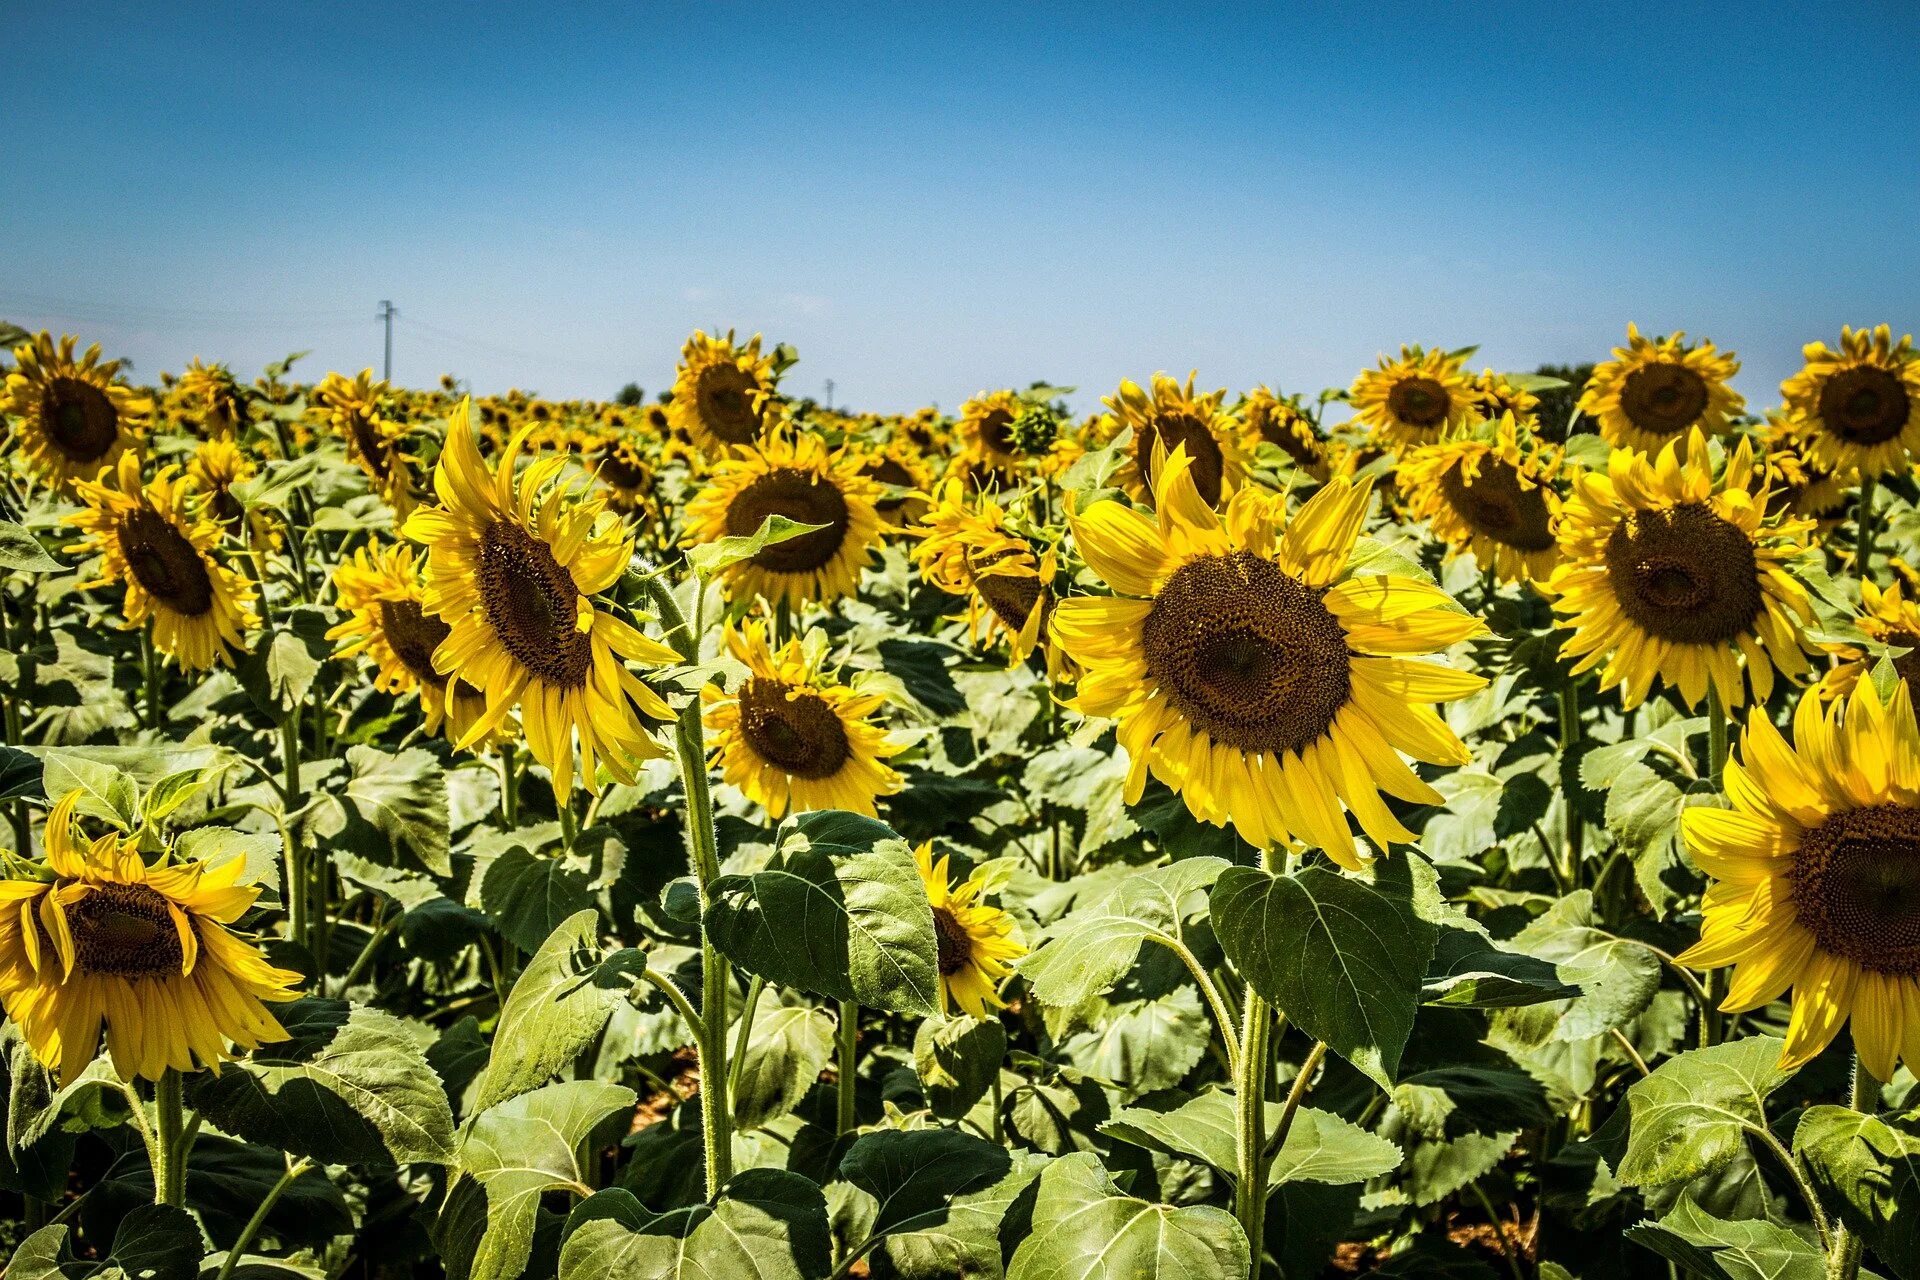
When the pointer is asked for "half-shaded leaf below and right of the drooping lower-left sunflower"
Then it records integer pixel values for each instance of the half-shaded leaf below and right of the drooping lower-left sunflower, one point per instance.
(350, 1087)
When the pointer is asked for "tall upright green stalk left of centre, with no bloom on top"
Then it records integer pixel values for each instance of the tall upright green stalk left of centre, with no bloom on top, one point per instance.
(704, 851)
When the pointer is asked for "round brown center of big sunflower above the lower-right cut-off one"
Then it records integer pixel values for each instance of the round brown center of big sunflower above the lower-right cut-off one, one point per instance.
(1685, 575)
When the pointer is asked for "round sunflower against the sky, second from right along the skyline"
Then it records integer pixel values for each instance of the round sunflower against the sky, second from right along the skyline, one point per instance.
(1658, 391)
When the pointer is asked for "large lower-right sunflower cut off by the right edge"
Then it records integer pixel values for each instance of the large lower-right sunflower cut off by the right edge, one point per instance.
(1817, 876)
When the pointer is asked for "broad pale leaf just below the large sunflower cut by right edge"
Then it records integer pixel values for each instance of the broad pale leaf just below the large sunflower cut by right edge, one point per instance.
(1692, 1114)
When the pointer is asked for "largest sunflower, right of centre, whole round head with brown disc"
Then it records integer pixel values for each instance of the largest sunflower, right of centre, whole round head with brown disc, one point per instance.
(1255, 673)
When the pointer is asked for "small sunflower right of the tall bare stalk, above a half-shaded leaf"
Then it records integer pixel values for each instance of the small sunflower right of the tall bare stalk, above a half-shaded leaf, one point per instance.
(796, 740)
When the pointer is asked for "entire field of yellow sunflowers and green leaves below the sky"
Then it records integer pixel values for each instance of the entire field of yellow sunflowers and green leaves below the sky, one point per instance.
(1462, 824)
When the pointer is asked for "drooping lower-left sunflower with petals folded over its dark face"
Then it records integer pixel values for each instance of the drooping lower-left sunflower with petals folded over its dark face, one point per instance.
(101, 941)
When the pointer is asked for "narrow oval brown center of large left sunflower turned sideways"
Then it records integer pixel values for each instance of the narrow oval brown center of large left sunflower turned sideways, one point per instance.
(533, 604)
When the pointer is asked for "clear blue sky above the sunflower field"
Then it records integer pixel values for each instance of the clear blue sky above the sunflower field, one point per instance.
(930, 204)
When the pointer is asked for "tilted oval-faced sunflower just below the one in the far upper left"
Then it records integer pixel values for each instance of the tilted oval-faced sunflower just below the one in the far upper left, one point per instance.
(156, 544)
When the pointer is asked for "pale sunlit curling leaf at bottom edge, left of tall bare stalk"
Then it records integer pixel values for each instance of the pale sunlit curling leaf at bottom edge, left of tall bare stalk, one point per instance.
(517, 1152)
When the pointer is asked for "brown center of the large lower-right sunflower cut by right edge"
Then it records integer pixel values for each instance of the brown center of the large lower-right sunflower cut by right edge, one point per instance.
(1858, 888)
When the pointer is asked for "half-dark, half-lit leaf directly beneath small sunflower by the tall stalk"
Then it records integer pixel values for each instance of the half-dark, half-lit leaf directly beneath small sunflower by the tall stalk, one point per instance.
(838, 913)
